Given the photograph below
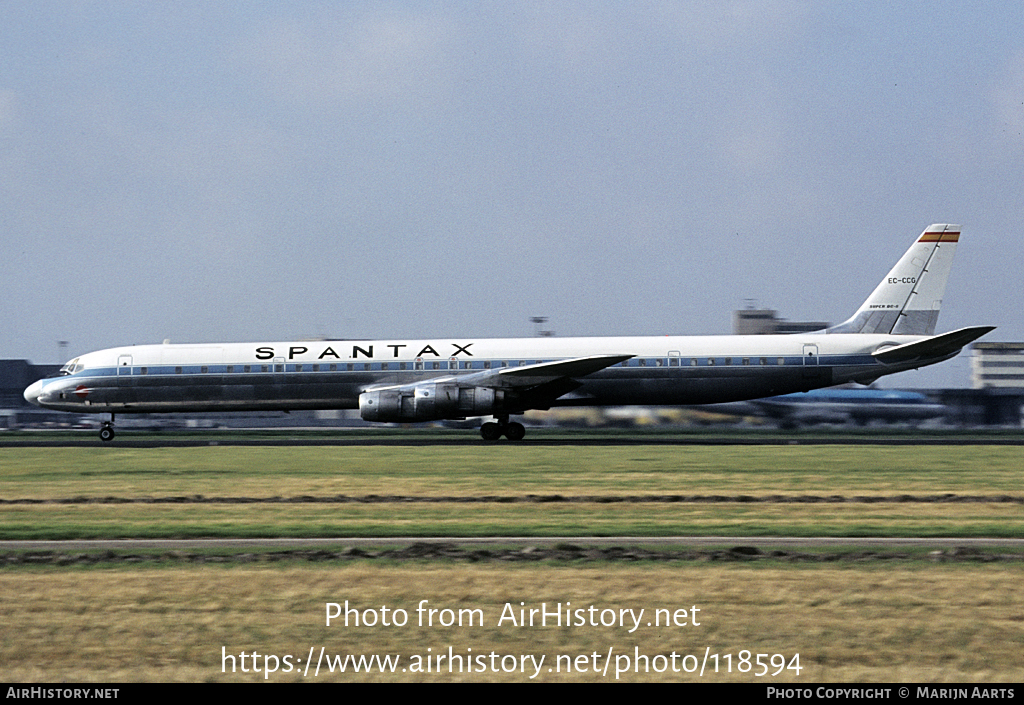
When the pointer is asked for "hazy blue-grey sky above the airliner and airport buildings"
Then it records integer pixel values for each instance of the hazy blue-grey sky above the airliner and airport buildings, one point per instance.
(226, 172)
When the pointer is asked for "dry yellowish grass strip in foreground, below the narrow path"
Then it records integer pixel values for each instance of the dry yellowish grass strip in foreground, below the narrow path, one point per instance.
(872, 624)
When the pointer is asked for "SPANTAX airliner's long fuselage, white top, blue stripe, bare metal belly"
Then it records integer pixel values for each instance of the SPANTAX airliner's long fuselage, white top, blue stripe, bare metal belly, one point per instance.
(332, 375)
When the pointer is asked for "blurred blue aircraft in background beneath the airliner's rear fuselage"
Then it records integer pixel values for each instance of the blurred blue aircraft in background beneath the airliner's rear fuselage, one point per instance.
(838, 406)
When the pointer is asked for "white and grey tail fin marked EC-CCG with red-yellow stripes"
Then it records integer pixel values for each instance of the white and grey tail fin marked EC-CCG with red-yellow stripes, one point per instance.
(907, 303)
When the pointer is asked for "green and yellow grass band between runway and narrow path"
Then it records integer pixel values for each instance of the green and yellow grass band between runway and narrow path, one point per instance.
(110, 492)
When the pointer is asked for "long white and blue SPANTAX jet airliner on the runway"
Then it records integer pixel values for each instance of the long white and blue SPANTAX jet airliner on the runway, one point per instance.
(401, 381)
